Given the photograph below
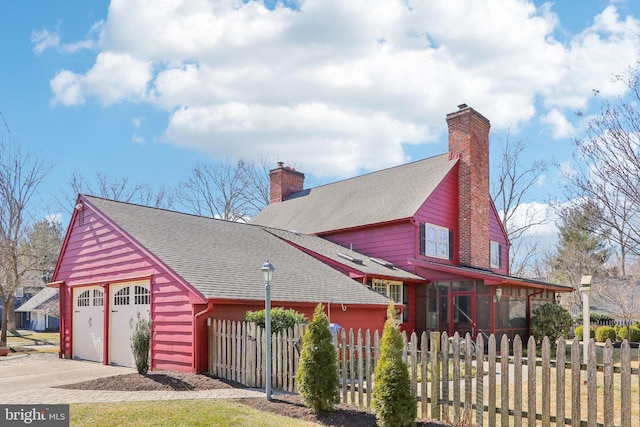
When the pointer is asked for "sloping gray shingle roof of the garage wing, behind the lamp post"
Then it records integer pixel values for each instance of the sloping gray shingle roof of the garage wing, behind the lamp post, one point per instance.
(222, 259)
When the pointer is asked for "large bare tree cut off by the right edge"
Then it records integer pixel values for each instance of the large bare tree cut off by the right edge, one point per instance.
(607, 170)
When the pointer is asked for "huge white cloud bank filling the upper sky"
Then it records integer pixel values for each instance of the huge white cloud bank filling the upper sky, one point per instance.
(350, 80)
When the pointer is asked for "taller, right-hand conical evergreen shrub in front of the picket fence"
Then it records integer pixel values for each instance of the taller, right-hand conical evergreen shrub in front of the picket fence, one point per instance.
(393, 401)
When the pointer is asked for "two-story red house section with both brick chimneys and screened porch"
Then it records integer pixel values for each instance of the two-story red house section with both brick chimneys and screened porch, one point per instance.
(434, 218)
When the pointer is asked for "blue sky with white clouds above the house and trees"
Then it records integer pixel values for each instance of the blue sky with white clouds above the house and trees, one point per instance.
(334, 88)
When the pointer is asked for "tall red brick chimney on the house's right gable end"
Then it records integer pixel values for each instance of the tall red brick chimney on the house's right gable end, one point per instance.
(469, 141)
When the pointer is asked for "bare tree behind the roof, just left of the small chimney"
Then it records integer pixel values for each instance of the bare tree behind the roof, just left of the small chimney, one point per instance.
(226, 190)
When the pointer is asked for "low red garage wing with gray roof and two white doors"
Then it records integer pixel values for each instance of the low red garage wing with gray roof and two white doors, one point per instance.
(120, 260)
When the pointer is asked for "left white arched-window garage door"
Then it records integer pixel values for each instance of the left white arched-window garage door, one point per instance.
(88, 323)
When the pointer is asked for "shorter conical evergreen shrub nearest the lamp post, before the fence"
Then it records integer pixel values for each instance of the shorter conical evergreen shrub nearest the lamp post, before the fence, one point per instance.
(317, 376)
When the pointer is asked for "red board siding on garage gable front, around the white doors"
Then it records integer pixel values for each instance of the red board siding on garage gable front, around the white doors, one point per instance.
(96, 252)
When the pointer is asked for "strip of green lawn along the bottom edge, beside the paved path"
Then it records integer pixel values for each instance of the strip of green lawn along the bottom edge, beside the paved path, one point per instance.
(176, 413)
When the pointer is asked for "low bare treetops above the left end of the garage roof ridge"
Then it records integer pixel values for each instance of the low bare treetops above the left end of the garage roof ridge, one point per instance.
(115, 188)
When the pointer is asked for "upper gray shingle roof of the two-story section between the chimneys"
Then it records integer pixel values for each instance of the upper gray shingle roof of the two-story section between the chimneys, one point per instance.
(386, 195)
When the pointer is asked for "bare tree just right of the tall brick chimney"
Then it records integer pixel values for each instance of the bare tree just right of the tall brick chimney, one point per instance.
(510, 188)
